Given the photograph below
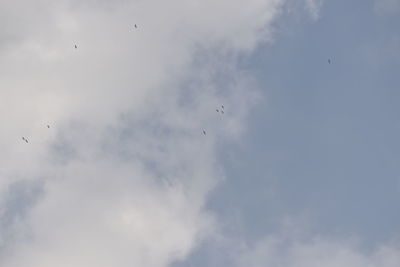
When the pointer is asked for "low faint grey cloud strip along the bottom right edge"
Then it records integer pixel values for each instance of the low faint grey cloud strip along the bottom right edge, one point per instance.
(292, 252)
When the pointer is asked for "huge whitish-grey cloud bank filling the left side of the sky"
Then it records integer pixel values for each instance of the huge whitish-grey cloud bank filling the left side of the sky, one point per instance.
(121, 176)
